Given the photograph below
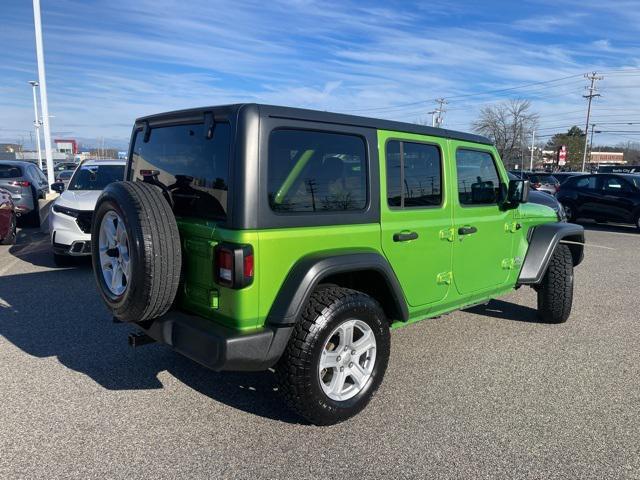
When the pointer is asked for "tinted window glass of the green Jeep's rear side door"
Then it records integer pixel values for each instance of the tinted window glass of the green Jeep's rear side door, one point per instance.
(413, 174)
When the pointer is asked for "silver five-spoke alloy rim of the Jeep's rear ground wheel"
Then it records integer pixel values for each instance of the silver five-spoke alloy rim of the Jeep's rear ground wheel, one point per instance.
(347, 360)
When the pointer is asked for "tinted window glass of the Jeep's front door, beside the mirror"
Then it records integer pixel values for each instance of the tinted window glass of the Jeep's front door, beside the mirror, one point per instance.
(478, 180)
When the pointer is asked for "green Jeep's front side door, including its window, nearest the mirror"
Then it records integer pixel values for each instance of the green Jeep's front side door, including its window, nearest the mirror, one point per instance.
(483, 247)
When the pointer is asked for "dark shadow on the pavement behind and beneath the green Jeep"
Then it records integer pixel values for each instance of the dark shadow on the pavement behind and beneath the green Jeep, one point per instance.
(58, 313)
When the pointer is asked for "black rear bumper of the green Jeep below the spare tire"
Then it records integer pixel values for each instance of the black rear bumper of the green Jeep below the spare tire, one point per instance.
(217, 347)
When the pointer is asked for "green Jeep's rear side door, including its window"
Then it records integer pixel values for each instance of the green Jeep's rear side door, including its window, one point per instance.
(416, 214)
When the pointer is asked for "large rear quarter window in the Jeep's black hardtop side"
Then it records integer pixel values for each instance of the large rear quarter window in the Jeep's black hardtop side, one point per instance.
(316, 171)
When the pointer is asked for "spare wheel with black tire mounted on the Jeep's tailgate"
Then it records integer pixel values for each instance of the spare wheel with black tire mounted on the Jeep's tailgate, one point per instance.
(135, 251)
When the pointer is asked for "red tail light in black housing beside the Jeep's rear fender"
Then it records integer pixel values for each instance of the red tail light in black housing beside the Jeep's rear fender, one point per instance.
(234, 265)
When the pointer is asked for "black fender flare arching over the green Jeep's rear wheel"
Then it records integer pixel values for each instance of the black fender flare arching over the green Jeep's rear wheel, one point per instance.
(310, 270)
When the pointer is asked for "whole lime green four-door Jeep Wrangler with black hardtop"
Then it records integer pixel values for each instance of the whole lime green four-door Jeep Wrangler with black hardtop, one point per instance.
(249, 236)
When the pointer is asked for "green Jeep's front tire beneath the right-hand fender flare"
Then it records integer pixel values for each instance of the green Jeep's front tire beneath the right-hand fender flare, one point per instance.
(555, 292)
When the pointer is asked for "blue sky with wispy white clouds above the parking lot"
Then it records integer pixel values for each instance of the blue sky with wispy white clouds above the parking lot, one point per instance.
(109, 62)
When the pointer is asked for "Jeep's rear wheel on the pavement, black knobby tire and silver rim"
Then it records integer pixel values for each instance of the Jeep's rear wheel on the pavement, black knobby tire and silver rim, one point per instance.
(336, 357)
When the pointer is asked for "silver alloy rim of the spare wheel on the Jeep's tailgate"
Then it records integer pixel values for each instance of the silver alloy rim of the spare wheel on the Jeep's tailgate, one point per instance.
(113, 248)
